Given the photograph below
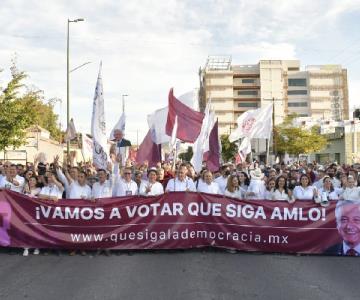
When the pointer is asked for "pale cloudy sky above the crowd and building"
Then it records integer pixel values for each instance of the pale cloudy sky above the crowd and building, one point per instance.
(147, 47)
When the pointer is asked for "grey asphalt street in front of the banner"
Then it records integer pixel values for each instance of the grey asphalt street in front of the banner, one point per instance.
(209, 274)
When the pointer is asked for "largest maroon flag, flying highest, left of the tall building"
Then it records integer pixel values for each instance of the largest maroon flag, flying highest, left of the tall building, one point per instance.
(189, 120)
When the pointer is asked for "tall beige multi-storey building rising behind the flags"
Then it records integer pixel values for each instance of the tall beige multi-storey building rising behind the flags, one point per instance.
(320, 92)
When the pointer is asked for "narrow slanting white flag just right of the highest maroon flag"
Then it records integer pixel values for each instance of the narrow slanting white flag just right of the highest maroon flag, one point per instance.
(201, 144)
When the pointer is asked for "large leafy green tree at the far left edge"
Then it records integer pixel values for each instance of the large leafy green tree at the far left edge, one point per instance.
(21, 108)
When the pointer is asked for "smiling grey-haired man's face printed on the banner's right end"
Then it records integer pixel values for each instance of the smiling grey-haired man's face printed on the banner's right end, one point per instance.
(349, 227)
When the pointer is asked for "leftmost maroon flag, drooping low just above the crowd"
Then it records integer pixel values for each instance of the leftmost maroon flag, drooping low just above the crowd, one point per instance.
(149, 151)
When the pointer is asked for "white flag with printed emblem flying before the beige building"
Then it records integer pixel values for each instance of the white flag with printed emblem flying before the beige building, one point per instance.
(254, 123)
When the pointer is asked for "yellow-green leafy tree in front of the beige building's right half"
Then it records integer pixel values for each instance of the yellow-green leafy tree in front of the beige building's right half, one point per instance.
(298, 140)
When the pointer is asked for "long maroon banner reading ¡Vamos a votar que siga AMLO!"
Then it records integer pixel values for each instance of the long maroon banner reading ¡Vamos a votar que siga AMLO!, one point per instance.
(174, 220)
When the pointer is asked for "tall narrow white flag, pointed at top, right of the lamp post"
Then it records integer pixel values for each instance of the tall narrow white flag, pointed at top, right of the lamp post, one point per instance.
(98, 128)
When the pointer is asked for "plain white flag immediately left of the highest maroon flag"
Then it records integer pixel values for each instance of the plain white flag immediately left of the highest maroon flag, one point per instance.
(157, 123)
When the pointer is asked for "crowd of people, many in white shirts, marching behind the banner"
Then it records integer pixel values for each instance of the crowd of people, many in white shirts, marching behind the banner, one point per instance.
(251, 181)
